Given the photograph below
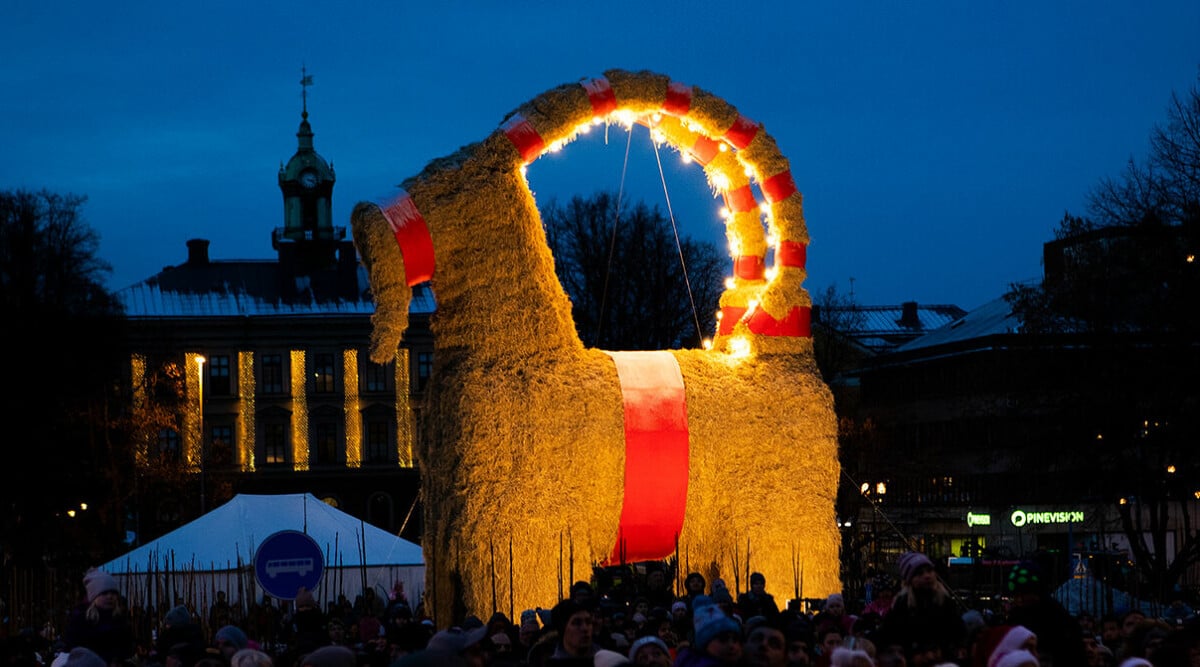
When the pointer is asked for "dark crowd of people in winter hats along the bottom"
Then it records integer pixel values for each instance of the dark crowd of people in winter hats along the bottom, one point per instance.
(911, 621)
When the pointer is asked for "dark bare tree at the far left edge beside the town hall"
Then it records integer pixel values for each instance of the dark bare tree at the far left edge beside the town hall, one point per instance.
(63, 344)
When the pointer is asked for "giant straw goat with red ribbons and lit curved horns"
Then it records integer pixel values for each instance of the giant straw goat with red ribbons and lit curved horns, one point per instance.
(526, 446)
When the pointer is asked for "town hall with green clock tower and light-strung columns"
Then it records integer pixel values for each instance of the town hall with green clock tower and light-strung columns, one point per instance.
(278, 394)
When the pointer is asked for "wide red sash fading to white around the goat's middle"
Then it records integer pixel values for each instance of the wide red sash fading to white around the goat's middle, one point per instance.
(656, 456)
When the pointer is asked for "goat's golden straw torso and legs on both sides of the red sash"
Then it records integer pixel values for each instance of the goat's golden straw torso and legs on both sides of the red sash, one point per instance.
(535, 462)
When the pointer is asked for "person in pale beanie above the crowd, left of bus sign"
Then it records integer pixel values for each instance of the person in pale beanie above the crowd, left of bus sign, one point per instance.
(99, 624)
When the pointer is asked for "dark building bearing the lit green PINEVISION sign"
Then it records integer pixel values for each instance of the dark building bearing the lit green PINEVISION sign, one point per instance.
(982, 444)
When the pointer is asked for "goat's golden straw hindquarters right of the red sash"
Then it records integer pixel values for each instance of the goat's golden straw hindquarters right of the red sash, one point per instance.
(764, 474)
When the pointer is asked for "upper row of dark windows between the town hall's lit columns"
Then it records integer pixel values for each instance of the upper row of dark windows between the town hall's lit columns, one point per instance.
(273, 376)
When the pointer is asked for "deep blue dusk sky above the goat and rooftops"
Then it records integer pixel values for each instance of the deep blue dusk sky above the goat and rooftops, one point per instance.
(938, 143)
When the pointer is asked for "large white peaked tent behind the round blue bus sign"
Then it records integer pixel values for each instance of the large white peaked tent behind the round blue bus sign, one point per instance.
(217, 552)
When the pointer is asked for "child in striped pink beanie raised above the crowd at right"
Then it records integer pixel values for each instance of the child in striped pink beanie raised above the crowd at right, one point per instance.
(925, 623)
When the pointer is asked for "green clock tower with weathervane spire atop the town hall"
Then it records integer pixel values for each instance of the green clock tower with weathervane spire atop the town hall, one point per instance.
(308, 237)
